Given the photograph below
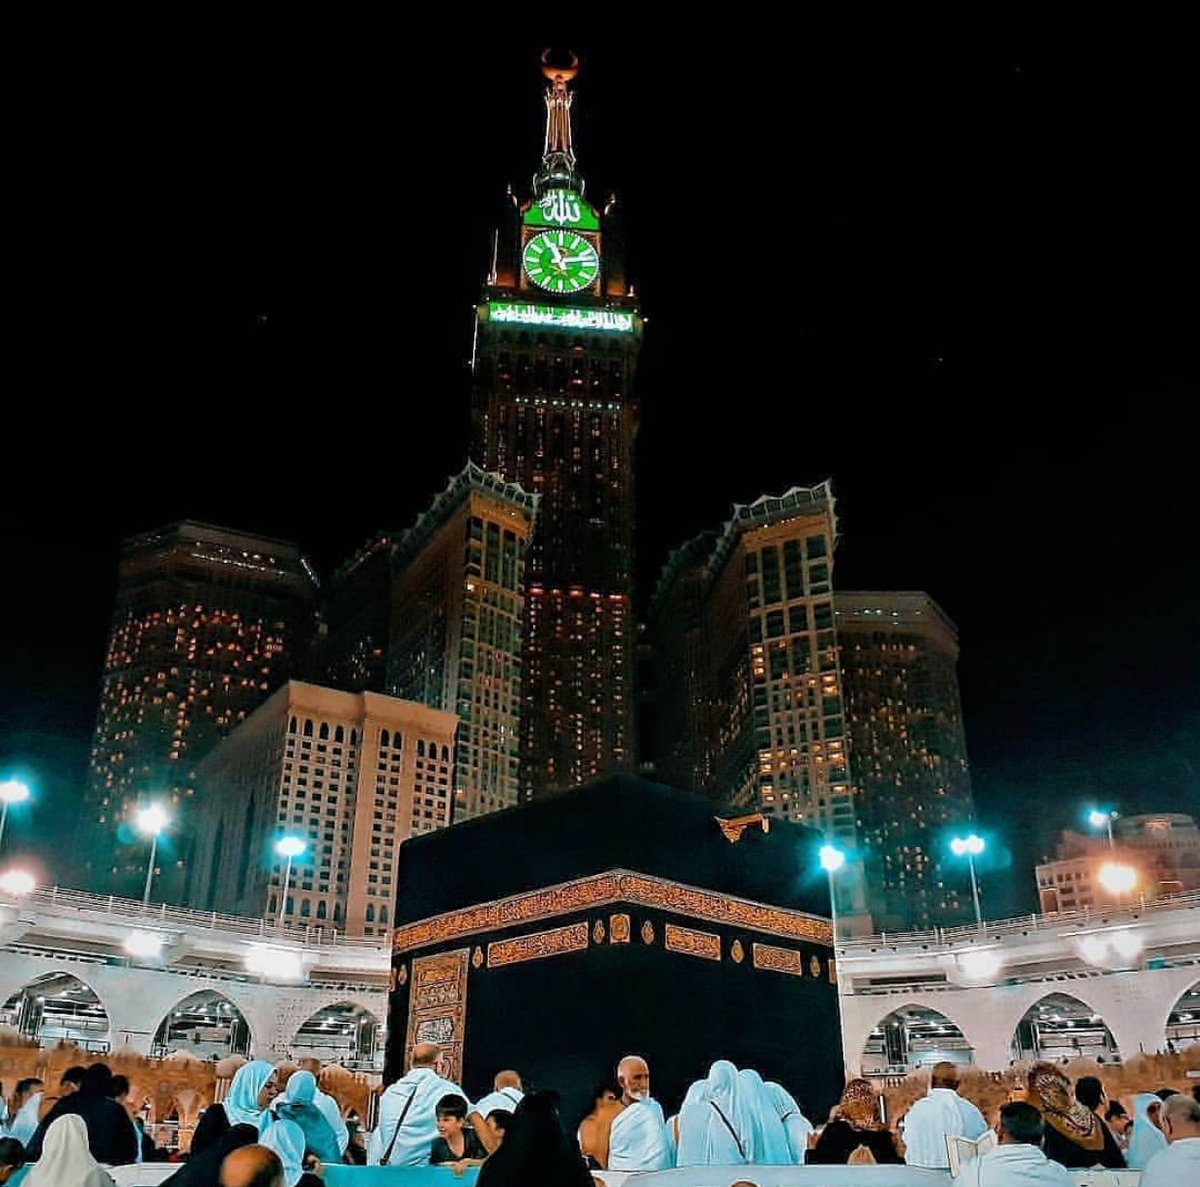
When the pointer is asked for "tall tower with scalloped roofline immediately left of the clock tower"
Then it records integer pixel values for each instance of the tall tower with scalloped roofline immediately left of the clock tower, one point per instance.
(457, 610)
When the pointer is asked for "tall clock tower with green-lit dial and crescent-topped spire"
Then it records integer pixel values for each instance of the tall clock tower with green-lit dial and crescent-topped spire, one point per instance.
(557, 339)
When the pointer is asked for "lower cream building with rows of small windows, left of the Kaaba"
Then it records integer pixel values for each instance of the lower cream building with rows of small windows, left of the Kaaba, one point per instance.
(352, 775)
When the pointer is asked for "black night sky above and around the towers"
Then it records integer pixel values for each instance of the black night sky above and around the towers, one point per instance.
(957, 277)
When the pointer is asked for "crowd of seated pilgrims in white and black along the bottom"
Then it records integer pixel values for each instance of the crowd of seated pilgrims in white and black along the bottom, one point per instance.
(275, 1128)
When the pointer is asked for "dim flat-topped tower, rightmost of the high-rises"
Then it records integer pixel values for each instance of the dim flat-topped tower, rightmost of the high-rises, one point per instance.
(908, 756)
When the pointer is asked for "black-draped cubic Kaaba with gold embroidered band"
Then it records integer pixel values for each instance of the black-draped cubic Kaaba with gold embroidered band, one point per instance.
(621, 918)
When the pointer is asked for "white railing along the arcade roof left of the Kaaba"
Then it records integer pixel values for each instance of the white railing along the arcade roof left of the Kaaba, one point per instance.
(59, 901)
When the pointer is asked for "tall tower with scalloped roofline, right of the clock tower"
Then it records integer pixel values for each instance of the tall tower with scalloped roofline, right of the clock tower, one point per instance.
(751, 700)
